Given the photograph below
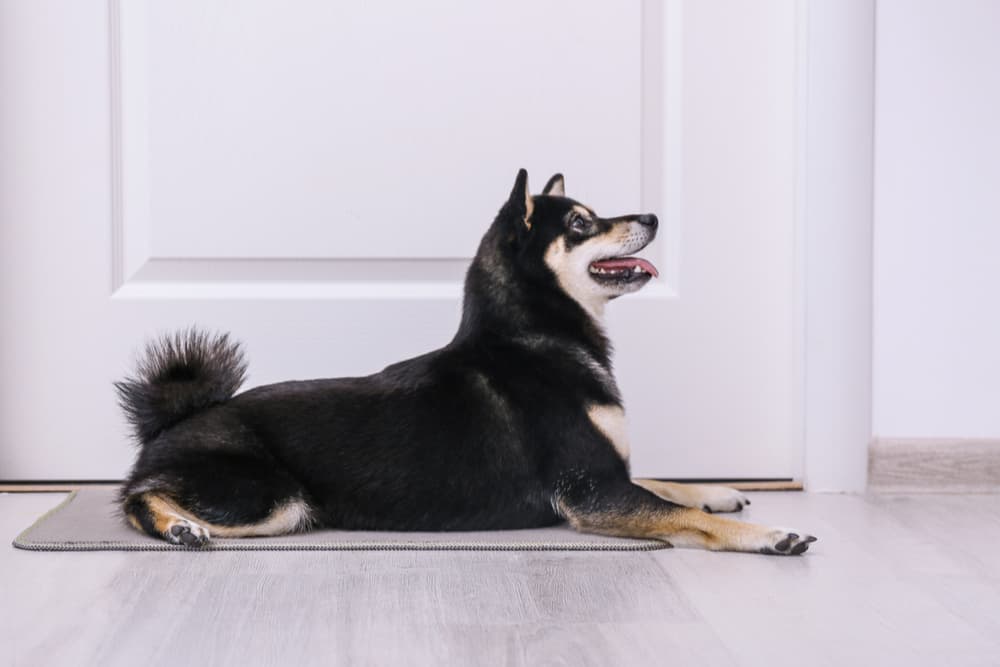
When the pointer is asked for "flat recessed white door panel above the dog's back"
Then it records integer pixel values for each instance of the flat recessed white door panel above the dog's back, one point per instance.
(373, 130)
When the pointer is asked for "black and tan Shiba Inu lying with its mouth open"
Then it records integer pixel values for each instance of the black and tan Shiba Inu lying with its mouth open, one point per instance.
(515, 423)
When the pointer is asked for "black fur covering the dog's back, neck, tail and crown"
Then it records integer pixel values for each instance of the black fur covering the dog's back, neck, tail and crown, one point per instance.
(490, 431)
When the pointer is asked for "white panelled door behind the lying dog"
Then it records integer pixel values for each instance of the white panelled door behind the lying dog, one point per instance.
(315, 176)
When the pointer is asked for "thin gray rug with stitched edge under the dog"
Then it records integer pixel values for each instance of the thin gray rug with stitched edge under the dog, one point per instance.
(88, 520)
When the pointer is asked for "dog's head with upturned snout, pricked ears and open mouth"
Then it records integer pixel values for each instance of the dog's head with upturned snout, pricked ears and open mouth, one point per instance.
(590, 257)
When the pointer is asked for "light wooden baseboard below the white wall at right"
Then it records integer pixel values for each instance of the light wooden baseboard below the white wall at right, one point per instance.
(934, 465)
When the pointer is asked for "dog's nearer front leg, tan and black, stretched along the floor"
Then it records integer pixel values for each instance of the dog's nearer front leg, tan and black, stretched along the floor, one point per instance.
(618, 507)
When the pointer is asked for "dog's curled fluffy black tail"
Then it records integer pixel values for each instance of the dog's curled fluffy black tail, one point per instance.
(177, 376)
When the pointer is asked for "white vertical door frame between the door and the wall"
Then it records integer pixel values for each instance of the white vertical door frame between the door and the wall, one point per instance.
(836, 179)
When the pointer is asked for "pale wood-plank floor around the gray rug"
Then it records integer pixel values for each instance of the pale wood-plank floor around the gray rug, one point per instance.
(904, 580)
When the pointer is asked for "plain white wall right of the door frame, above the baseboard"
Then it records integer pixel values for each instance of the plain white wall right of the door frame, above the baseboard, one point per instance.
(937, 219)
